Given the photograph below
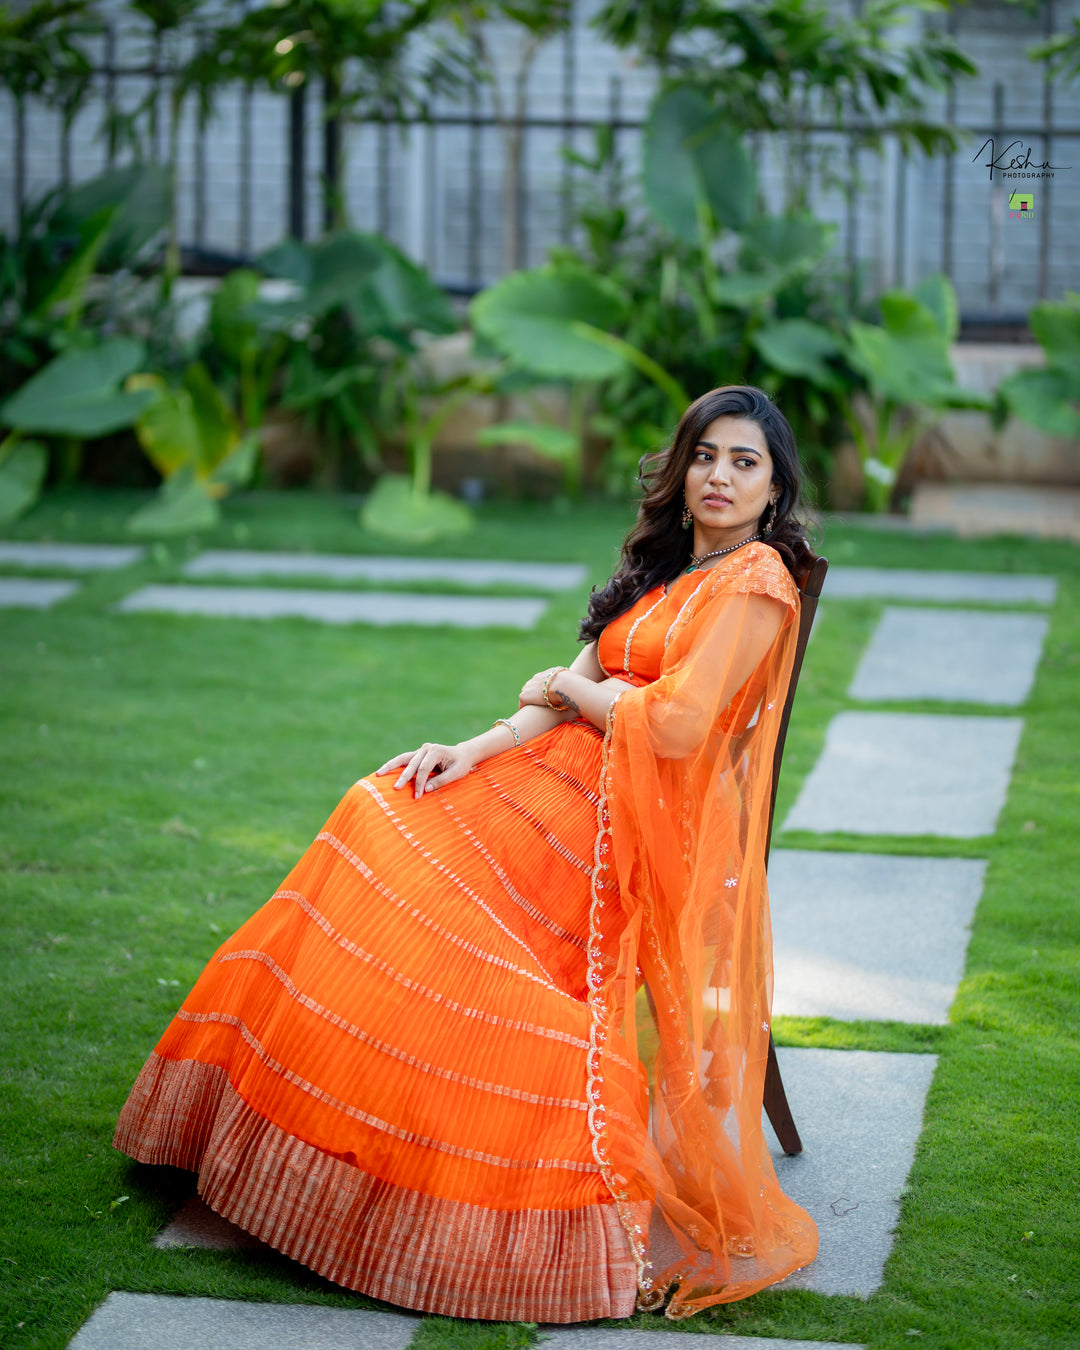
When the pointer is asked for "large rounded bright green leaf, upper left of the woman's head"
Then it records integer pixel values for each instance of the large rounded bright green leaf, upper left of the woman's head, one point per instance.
(534, 318)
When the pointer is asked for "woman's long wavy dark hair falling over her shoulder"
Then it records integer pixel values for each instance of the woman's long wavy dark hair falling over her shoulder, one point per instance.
(658, 550)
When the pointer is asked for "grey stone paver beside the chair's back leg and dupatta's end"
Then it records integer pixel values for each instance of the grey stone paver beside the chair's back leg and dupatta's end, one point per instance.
(859, 1114)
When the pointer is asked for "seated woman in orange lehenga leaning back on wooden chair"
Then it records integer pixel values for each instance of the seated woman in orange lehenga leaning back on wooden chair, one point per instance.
(416, 1070)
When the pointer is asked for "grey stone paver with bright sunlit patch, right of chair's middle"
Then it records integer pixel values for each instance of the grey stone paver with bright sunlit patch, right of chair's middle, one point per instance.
(865, 936)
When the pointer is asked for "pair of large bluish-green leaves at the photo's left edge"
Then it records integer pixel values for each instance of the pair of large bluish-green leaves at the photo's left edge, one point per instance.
(78, 396)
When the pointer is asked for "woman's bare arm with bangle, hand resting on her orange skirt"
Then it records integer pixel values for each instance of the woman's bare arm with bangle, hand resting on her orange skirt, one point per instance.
(435, 766)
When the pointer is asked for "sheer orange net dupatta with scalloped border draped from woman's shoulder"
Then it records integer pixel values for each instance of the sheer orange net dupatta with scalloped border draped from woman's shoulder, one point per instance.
(681, 853)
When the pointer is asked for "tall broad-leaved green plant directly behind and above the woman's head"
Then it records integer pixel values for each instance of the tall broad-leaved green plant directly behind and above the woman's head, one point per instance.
(712, 291)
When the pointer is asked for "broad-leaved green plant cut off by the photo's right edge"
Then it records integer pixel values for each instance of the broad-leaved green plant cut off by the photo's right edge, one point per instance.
(1050, 399)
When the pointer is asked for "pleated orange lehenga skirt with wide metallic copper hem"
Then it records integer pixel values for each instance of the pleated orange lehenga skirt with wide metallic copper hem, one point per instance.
(383, 1074)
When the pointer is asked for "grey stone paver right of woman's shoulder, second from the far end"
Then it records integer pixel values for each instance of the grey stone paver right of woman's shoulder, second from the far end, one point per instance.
(955, 655)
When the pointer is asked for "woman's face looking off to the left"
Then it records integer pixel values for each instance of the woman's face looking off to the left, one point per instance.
(730, 480)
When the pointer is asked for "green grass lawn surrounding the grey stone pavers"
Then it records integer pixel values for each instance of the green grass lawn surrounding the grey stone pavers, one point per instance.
(161, 774)
